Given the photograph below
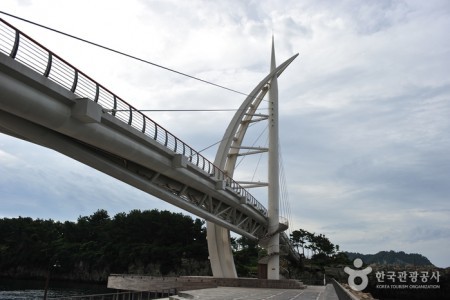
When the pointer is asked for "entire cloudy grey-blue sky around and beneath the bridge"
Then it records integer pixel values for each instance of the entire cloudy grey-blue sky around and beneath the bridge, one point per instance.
(364, 109)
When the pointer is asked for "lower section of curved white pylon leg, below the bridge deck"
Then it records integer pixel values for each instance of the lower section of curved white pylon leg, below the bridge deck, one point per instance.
(220, 254)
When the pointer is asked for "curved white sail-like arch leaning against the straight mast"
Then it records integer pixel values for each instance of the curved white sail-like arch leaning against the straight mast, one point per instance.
(219, 245)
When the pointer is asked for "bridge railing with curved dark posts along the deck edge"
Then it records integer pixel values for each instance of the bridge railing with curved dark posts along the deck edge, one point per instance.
(32, 54)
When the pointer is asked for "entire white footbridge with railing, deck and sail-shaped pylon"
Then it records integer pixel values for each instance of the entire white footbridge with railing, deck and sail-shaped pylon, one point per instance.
(47, 101)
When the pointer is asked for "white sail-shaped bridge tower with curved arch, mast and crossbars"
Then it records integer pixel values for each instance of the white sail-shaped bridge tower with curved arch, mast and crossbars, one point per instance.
(219, 245)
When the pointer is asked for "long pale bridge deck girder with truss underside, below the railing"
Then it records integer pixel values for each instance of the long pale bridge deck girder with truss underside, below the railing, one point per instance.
(37, 110)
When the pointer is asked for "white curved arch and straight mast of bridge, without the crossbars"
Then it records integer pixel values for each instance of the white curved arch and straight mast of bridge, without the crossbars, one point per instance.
(219, 245)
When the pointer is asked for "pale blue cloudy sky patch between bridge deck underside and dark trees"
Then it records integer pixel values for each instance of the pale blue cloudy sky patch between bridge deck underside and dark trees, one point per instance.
(44, 184)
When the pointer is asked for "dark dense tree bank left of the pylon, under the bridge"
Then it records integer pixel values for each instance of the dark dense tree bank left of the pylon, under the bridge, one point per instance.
(153, 242)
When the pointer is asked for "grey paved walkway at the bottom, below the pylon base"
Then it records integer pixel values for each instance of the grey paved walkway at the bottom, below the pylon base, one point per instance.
(234, 293)
